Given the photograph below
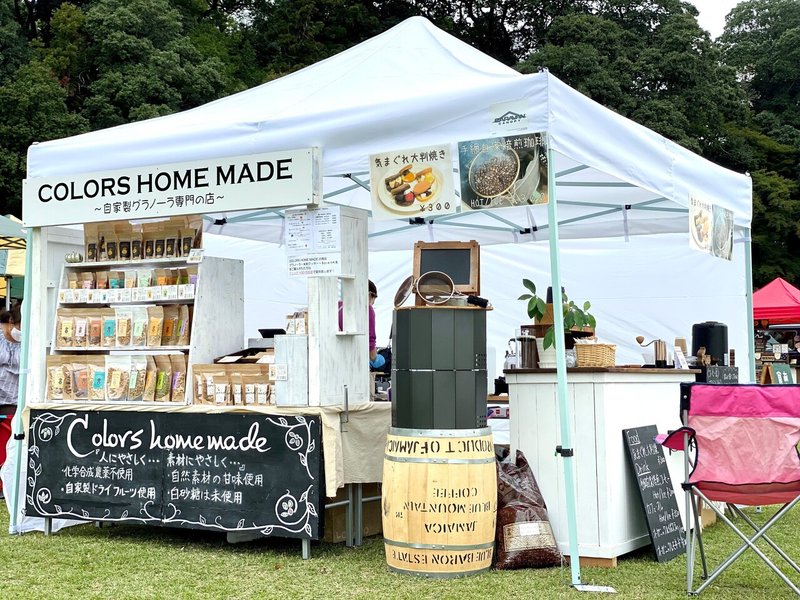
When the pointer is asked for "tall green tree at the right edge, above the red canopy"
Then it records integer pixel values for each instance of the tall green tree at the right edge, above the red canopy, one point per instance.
(762, 42)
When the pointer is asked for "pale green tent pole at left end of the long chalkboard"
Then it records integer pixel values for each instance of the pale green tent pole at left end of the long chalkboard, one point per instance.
(16, 425)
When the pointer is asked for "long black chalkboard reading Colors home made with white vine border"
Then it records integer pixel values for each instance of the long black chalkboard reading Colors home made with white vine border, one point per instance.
(229, 472)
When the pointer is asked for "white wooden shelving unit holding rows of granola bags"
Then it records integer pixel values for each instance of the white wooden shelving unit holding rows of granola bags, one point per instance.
(217, 318)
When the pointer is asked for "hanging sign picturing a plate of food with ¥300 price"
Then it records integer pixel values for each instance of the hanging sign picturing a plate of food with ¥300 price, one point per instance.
(410, 183)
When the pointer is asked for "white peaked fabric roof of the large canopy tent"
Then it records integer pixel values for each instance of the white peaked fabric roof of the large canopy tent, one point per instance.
(415, 86)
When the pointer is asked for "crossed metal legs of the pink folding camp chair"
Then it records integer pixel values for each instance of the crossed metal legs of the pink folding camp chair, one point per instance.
(749, 542)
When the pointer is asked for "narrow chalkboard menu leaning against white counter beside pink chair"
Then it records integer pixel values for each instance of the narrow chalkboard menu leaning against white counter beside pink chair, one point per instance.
(656, 491)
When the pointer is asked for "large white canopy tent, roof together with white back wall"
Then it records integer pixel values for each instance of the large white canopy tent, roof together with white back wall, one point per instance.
(618, 189)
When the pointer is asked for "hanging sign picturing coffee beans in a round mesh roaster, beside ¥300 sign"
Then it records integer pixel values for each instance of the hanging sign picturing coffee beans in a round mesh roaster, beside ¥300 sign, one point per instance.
(503, 171)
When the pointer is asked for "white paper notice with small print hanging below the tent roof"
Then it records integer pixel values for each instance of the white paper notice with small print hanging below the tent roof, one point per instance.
(314, 242)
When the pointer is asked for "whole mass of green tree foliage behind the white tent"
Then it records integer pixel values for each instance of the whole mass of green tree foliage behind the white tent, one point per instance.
(72, 66)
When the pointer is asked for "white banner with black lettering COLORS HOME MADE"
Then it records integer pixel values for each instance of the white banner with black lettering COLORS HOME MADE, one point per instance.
(269, 180)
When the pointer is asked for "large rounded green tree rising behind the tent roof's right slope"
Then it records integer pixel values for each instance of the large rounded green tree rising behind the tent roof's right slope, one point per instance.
(651, 62)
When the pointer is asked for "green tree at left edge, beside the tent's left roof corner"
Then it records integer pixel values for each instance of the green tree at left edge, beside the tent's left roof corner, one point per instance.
(32, 108)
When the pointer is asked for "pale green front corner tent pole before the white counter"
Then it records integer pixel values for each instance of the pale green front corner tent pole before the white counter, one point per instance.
(565, 414)
